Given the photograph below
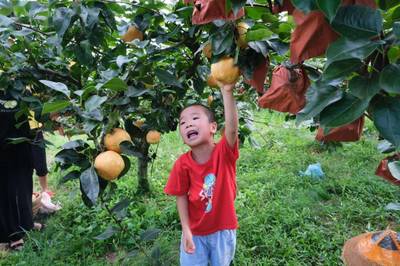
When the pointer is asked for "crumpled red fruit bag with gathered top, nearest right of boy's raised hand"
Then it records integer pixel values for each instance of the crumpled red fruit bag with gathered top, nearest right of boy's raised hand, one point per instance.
(287, 91)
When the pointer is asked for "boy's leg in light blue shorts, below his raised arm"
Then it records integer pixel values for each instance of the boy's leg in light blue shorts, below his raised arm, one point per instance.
(222, 247)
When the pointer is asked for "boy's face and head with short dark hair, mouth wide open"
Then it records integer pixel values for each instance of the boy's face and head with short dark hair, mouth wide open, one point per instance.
(195, 127)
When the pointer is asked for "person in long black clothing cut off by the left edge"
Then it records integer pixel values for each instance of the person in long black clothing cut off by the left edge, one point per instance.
(16, 170)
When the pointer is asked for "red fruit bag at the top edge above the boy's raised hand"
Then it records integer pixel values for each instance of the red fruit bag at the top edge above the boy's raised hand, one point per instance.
(206, 11)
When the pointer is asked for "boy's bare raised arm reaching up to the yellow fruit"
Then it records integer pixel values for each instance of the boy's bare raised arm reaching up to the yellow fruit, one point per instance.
(230, 112)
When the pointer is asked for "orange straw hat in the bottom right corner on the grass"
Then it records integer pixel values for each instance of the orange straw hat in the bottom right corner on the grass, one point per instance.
(373, 249)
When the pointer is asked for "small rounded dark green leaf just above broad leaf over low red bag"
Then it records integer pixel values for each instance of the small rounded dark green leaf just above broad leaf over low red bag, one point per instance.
(363, 87)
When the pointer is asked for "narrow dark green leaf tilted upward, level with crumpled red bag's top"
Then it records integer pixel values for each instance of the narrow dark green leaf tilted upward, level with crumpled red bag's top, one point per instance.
(341, 69)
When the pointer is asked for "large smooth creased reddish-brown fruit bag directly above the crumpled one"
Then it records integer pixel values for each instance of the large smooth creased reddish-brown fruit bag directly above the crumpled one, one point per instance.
(312, 36)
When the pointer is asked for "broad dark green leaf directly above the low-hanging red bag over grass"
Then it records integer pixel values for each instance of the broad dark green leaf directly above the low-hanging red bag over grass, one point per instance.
(343, 112)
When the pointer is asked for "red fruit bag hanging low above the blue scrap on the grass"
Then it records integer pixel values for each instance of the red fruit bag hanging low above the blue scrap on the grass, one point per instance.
(350, 132)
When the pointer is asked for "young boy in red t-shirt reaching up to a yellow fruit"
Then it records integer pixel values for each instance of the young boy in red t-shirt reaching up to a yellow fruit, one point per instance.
(204, 183)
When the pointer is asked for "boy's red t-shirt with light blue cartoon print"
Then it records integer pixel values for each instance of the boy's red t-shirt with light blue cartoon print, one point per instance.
(211, 188)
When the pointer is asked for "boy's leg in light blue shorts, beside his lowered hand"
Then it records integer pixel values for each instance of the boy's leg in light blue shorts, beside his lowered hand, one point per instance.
(200, 255)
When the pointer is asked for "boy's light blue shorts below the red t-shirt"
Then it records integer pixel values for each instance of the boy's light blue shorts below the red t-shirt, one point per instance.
(217, 248)
